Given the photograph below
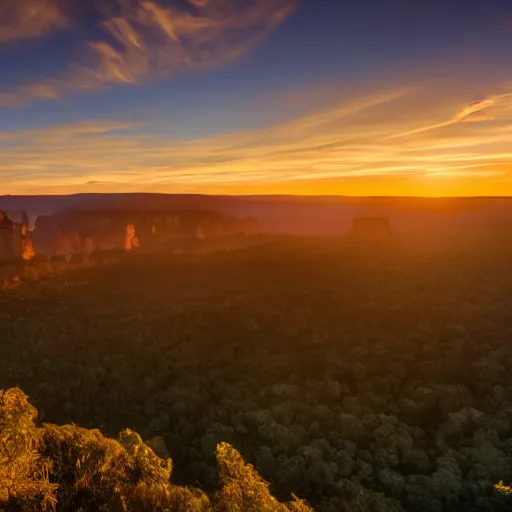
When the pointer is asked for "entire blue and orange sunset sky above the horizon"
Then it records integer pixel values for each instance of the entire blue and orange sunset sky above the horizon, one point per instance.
(310, 97)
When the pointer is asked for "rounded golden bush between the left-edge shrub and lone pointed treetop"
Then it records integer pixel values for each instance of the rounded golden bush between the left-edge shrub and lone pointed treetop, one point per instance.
(104, 473)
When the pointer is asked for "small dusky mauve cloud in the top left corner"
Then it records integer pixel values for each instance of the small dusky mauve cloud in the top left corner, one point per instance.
(29, 19)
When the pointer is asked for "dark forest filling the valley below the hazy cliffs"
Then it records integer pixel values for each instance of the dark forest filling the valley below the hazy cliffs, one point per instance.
(350, 376)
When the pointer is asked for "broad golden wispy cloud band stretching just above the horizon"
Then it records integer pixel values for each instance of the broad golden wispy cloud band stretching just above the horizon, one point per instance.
(358, 139)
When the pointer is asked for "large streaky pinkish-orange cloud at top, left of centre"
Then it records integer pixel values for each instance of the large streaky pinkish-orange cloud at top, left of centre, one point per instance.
(145, 39)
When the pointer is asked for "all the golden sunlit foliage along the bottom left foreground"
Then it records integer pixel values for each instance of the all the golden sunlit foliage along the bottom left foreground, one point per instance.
(72, 468)
